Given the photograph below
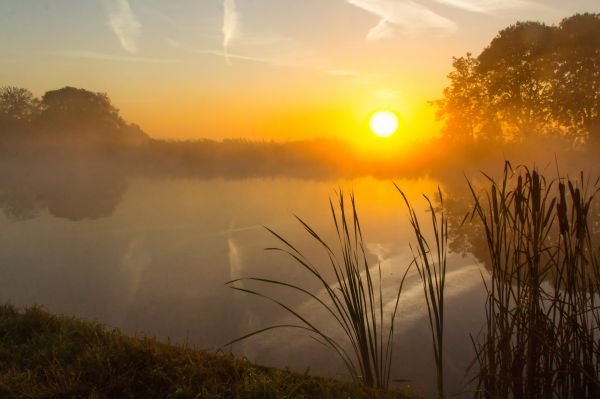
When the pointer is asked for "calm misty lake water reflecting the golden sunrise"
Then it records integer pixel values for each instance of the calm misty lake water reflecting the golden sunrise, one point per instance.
(151, 256)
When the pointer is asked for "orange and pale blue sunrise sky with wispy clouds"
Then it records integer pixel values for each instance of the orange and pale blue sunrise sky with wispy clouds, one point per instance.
(257, 69)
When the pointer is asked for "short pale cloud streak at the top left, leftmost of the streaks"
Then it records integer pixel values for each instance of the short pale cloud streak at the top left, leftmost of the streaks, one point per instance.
(124, 24)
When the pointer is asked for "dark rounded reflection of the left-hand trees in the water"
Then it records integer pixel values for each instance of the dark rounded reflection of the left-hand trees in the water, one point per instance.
(70, 189)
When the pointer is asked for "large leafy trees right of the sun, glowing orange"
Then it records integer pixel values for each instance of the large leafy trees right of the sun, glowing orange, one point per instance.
(532, 79)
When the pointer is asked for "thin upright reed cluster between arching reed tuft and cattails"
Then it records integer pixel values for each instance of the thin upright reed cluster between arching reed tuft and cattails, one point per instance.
(431, 265)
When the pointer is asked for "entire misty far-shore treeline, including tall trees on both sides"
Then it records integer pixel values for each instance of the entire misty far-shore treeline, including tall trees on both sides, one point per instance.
(535, 86)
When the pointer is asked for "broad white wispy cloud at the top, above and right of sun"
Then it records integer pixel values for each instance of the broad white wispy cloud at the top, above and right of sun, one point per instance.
(405, 16)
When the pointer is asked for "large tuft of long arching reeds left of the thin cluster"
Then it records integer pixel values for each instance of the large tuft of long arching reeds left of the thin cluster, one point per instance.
(354, 299)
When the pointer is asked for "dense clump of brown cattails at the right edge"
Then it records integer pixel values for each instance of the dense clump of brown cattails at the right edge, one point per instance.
(541, 334)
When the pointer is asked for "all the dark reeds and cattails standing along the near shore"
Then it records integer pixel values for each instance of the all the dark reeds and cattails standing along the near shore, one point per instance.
(539, 241)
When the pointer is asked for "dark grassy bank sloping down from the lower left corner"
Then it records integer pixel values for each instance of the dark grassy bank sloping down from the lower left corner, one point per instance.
(48, 356)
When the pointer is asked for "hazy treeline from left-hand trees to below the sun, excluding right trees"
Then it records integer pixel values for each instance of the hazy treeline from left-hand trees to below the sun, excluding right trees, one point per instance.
(72, 123)
